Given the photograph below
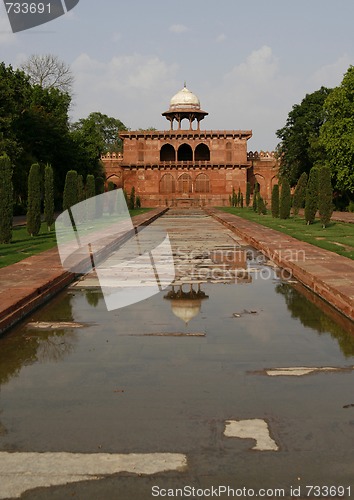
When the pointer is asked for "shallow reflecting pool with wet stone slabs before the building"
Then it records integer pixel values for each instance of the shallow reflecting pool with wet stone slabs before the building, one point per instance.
(231, 372)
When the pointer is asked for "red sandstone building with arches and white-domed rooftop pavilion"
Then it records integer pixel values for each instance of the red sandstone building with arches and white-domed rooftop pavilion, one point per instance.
(189, 167)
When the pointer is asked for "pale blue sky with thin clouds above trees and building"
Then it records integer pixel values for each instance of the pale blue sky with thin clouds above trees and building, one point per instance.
(248, 62)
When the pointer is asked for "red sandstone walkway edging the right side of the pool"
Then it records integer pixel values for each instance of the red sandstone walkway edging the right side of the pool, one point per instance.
(329, 275)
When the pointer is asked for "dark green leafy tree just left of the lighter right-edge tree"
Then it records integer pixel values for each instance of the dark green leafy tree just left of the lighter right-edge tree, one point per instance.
(300, 147)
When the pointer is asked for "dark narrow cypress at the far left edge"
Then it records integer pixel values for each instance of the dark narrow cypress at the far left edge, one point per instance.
(6, 199)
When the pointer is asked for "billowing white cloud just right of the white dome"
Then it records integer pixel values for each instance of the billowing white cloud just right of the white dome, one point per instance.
(255, 95)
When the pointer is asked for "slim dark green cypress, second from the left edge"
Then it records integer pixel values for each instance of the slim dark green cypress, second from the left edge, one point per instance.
(34, 200)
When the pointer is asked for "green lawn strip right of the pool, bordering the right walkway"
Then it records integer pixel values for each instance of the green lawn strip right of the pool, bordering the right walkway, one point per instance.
(338, 237)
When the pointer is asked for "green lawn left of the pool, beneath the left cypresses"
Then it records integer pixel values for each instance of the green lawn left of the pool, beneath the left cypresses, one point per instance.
(23, 245)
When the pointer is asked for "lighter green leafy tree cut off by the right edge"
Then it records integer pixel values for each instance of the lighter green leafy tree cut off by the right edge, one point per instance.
(338, 131)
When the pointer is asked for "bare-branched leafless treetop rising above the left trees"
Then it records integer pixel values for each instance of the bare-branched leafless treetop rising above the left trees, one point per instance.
(48, 71)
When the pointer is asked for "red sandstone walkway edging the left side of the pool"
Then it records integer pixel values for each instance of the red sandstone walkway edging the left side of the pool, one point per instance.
(28, 284)
